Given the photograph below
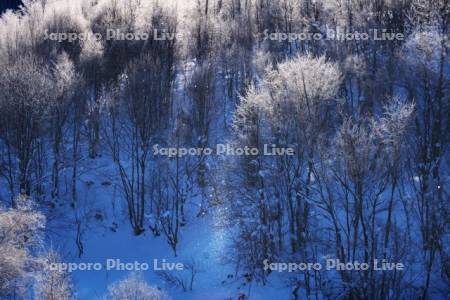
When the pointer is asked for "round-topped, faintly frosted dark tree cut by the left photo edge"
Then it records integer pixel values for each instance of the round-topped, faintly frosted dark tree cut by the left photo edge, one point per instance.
(25, 98)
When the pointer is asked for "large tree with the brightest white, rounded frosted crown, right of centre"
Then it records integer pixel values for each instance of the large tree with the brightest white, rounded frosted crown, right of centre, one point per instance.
(288, 108)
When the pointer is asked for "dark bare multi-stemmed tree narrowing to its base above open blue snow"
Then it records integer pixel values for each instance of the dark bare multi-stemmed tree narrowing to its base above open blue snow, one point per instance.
(144, 110)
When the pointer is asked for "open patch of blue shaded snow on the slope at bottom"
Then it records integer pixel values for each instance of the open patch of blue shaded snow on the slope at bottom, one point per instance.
(108, 236)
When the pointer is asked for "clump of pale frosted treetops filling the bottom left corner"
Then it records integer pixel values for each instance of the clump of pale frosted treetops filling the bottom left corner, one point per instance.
(24, 269)
